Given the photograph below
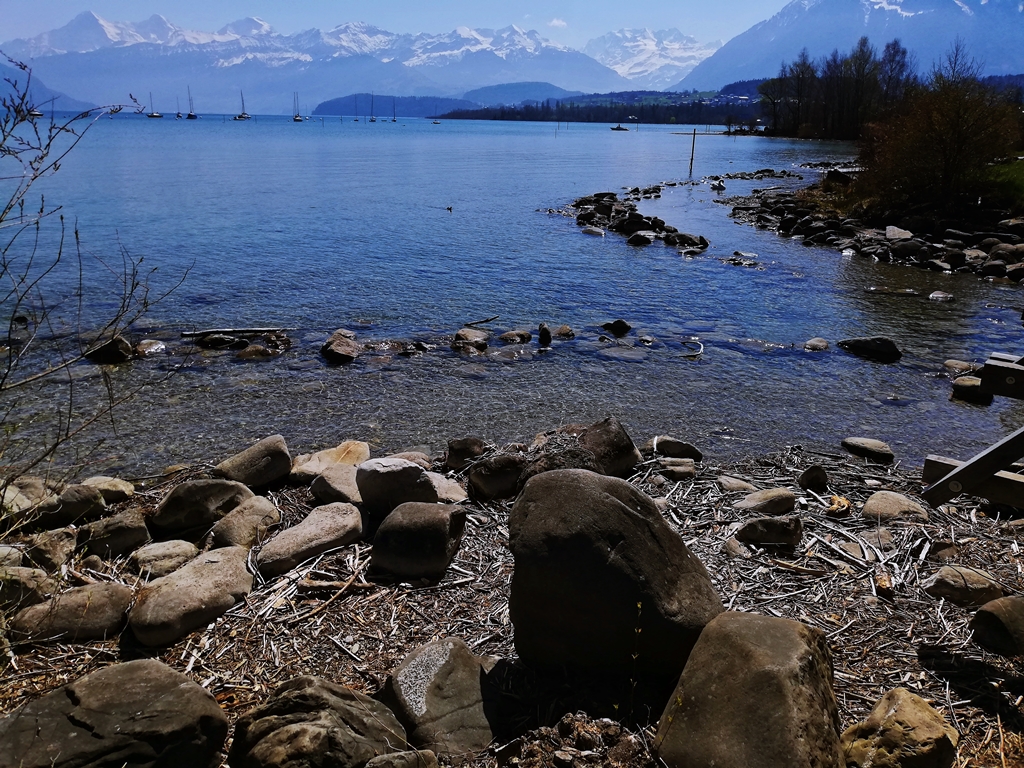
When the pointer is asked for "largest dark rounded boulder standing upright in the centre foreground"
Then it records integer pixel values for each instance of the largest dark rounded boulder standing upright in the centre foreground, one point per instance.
(601, 577)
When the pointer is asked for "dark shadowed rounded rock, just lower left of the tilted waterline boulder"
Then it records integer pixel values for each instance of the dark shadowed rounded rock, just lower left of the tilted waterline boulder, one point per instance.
(193, 508)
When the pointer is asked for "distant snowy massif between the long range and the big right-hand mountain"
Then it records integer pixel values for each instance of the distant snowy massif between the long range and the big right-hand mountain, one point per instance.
(652, 60)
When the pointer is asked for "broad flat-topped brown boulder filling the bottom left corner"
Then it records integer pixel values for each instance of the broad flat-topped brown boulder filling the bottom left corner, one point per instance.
(142, 714)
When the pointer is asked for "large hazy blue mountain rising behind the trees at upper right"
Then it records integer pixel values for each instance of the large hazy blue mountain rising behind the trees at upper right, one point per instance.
(994, 31)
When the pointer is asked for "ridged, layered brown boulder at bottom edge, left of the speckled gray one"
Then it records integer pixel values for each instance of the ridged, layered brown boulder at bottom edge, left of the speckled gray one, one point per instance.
(313, 723)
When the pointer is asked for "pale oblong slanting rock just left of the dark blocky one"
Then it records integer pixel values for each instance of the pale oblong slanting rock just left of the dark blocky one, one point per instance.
(324, 529)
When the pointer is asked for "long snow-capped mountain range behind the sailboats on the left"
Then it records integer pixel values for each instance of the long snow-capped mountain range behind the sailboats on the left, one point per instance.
(104, 61)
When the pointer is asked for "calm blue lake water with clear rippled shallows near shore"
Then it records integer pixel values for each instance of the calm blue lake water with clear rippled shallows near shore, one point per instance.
(316, 227)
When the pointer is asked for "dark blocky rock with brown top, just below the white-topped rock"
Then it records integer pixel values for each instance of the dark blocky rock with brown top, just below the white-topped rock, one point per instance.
(418, 541)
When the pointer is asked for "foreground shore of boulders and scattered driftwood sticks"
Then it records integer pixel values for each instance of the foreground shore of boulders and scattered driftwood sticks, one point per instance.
(500, 604)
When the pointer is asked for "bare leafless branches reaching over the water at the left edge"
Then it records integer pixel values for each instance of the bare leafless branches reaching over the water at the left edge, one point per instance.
(51, 328)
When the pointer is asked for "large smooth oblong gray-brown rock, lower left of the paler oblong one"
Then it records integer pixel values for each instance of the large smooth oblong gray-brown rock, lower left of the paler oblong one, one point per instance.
(170, 608)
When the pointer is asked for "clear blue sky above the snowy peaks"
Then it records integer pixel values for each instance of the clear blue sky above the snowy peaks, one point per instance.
(569, 22)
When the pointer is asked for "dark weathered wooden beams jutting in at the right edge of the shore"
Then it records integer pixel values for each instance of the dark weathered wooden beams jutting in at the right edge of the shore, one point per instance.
(992, 475)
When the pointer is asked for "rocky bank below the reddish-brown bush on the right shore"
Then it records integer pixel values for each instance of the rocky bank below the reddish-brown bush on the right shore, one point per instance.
(996, 251)
